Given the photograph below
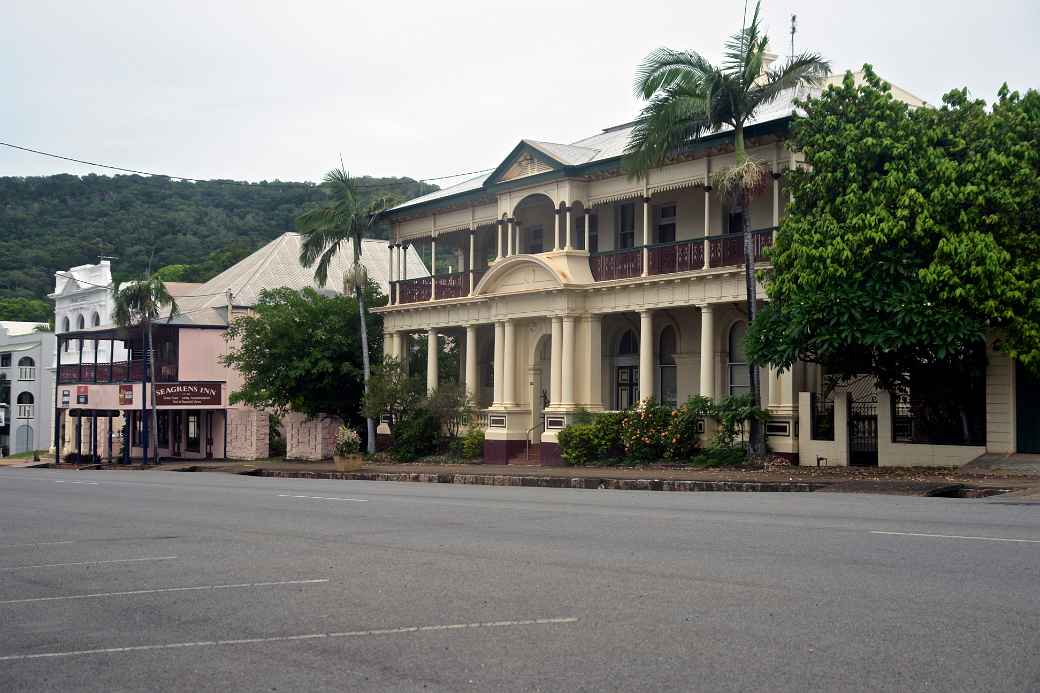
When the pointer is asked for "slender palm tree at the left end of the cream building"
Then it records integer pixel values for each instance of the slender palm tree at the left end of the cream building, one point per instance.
(325, 229)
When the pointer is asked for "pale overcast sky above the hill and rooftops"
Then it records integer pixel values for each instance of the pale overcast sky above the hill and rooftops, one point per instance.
(254, 90)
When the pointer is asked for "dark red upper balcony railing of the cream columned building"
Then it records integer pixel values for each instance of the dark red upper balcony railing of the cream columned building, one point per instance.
(681, 256)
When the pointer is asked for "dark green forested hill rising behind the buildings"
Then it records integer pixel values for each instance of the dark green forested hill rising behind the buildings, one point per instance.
(57, 222)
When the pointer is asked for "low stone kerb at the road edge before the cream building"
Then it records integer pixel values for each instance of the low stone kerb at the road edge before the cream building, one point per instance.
(586, 483)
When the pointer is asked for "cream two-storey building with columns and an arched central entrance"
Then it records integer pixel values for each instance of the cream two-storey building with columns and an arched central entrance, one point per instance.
(570, 287)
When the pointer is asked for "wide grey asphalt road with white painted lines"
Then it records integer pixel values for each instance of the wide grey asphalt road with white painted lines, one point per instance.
(115, 581)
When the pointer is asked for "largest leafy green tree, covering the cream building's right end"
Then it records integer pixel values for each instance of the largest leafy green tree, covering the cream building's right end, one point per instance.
(913, 233)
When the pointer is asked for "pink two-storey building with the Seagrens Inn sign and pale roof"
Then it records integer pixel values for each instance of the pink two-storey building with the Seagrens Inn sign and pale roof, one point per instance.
(196, 418)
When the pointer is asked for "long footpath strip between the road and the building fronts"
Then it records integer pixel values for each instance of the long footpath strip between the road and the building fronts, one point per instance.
(947, 482)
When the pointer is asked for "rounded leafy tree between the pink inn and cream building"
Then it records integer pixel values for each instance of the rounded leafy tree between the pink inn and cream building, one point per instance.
(301, 351)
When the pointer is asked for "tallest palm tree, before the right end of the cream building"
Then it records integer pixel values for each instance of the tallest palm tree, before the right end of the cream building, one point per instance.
(688, 97)
